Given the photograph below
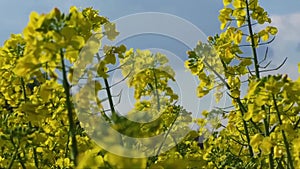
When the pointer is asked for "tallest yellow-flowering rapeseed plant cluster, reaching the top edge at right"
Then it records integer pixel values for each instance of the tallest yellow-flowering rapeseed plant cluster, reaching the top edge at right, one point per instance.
(263, 127)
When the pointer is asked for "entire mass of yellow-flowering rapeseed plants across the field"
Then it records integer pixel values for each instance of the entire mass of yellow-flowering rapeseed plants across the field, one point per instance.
(39, 123)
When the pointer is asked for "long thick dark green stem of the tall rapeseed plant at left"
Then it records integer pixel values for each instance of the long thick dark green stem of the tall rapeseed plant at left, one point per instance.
(72, 127)
